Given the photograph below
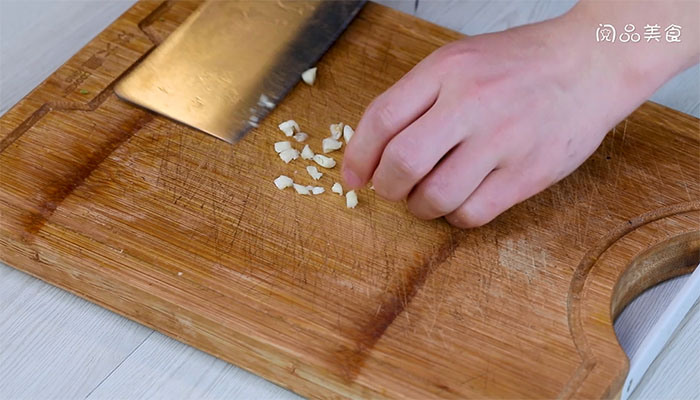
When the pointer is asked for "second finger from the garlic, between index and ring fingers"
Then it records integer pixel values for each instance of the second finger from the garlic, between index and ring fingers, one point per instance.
(414, 152)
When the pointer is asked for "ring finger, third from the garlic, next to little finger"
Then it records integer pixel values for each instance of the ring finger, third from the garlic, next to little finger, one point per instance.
(453, 180)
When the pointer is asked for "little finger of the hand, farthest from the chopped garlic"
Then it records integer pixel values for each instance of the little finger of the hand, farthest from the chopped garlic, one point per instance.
(499, 191)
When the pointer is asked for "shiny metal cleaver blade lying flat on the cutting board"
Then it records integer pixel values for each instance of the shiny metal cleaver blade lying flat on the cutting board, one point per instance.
(231, 62)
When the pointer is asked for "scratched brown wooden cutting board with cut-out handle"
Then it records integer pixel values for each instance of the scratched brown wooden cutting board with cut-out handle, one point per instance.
(188, 235)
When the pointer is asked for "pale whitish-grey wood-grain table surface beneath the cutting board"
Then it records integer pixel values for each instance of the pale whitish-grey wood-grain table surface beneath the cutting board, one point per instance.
(56, 345)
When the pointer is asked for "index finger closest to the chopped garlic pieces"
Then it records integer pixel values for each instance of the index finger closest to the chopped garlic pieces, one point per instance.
(388, 115)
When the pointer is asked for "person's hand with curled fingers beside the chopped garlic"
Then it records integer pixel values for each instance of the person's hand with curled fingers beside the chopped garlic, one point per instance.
(488, 121)
